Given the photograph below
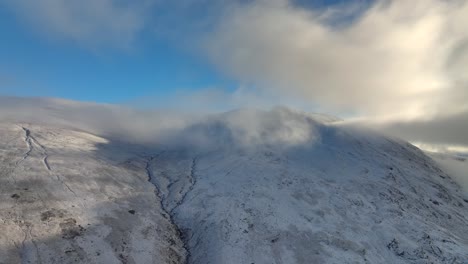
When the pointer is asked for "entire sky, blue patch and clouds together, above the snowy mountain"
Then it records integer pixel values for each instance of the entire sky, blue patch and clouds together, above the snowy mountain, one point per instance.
(397, 64)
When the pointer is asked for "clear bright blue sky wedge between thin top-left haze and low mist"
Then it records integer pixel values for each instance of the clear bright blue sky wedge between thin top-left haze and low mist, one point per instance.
(34, 64)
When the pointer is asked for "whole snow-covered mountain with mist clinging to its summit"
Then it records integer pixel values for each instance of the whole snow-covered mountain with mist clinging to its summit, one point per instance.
(98, 184)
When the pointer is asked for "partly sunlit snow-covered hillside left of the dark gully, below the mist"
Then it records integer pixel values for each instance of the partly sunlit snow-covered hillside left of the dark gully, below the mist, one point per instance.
(64, 200)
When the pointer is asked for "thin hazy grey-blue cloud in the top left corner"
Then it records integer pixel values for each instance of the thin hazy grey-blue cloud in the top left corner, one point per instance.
(91, 23)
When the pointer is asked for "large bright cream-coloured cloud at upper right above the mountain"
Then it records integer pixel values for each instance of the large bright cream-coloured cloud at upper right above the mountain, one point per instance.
(396, 59)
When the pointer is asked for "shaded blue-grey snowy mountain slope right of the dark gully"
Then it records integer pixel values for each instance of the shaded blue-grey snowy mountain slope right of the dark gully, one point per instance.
(348, 196)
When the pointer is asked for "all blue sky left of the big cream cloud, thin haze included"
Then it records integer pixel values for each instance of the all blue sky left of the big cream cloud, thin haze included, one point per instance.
(112, 51)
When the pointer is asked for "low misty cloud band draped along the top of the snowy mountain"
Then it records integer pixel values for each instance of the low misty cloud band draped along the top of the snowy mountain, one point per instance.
(279, 127)
